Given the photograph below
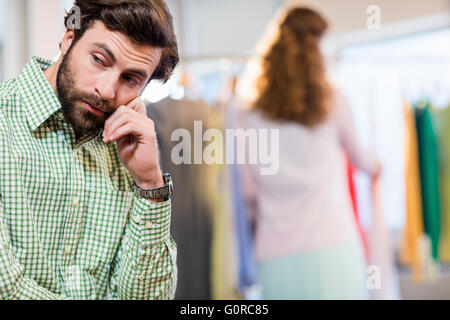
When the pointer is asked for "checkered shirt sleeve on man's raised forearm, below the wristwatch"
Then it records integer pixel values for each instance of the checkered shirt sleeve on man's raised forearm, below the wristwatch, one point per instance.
(145, 267)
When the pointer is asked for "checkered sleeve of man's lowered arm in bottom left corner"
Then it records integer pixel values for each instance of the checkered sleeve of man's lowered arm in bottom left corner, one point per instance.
(14, 284)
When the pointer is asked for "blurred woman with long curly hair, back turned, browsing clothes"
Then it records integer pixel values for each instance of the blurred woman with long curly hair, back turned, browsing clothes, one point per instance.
(306, 237)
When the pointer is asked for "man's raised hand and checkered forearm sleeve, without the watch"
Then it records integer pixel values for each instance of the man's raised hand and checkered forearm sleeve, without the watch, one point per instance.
(146, 262)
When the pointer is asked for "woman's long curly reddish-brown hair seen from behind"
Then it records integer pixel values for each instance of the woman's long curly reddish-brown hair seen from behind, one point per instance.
(293, 84)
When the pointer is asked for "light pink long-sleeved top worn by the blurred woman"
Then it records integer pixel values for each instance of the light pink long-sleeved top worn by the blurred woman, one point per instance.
(306, 206)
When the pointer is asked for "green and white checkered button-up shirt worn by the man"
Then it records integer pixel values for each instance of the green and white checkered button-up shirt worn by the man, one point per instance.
(70, 225)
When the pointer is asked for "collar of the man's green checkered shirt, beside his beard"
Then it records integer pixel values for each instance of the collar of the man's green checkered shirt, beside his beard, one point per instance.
(40, 99)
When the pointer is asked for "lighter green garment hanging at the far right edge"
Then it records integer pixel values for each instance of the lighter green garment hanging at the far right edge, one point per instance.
(441, 123)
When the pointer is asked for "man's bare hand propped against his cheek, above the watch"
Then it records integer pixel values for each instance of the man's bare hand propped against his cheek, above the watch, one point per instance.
(136, 141)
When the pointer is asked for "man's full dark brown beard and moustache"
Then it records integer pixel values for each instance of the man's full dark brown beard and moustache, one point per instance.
(71, 98)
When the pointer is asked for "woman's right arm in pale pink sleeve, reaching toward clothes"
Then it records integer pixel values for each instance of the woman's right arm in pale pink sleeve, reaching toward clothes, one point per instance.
(359, 158)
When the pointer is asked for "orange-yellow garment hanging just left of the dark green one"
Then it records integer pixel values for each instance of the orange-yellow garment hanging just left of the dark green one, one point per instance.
(414, 229)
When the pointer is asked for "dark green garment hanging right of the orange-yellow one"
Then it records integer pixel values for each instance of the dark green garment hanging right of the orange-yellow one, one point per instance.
(429, 175)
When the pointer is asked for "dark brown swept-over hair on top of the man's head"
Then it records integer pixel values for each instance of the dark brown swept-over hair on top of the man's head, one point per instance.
(145, 22)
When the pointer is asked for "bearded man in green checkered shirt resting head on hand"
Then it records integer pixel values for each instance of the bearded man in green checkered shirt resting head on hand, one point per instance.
(85, 209)
